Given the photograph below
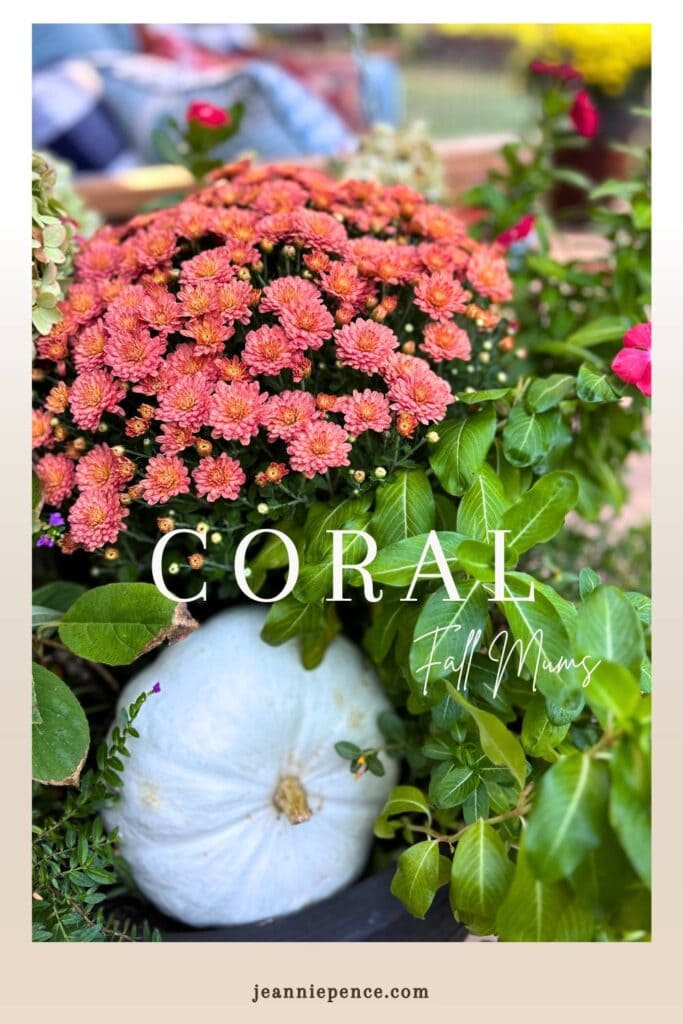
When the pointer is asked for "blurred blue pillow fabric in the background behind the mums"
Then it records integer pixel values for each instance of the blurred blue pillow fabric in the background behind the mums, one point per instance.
(98, 100)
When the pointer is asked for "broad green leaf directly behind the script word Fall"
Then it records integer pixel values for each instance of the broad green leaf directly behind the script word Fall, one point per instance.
(445, 631)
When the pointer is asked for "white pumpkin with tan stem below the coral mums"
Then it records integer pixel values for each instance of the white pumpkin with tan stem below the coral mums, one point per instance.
(236, 806)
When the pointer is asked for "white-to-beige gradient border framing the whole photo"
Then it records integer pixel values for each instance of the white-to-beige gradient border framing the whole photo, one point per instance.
(214, 983)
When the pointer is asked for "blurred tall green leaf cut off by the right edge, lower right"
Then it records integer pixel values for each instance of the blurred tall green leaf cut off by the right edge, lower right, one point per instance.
(630, 805)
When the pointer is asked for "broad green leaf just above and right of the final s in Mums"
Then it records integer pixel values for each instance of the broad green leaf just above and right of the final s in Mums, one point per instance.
(608, 628)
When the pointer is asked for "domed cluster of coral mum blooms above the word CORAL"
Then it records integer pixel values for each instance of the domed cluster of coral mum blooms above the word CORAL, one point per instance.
(260, 328)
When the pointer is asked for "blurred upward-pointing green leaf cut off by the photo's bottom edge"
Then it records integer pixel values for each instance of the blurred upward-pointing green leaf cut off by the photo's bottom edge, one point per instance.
(532, 909)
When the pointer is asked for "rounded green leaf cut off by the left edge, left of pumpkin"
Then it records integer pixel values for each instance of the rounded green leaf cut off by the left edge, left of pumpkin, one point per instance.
(60, 735)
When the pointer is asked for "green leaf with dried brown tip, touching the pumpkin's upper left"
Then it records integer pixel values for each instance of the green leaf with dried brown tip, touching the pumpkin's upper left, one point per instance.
(118, 623)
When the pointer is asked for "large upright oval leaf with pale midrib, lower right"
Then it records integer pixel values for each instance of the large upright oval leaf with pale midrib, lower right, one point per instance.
(569, 816)
